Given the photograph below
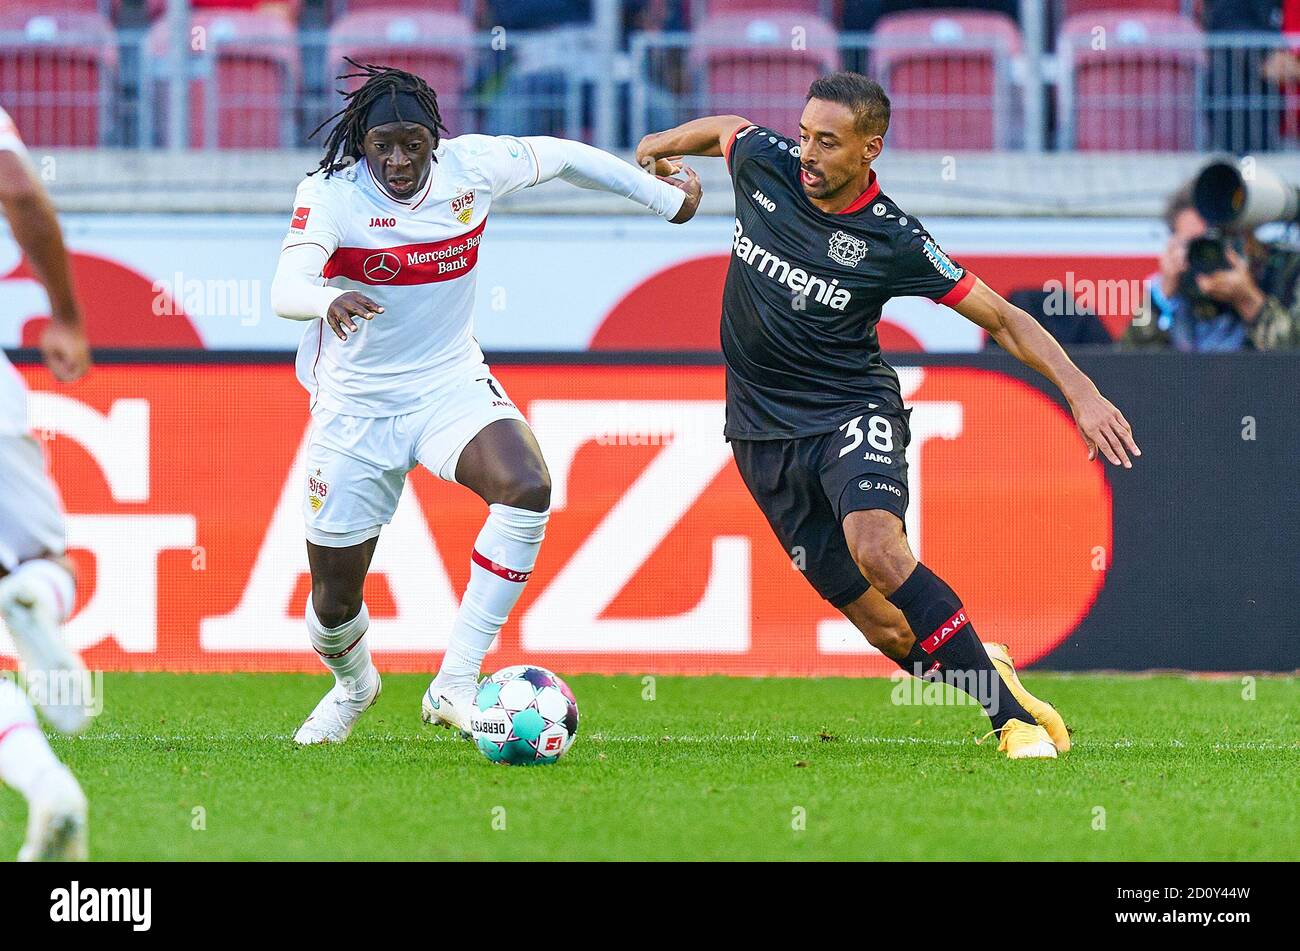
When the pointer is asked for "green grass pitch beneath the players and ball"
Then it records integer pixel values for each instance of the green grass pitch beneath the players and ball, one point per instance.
(201, 767)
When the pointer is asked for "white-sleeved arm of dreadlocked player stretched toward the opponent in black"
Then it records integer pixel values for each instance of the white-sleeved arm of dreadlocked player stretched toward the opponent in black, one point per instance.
(587, 167)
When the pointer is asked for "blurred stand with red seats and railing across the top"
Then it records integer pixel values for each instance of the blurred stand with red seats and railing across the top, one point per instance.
(1034, 76)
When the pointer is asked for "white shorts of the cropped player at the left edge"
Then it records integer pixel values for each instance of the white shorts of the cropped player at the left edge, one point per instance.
(32, 514)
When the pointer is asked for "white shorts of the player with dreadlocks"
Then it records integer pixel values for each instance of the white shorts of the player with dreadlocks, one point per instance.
(357, 466)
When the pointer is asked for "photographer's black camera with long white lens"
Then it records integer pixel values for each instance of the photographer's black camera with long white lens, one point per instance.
(1232, 203)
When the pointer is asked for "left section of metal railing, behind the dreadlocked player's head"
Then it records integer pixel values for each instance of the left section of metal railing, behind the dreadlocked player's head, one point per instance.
(81, 89)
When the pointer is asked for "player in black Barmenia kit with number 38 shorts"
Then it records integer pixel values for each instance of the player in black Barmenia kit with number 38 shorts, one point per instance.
(814, 415)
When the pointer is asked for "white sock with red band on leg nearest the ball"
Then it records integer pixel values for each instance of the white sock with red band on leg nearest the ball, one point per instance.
(504, 557)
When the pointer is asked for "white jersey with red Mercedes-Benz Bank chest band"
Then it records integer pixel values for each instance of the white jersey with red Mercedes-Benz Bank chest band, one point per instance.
(415, 258)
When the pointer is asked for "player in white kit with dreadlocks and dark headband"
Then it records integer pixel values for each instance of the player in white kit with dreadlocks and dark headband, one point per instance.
(382, 257)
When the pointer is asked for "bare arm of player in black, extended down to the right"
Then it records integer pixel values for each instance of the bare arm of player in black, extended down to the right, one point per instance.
(1102, 425)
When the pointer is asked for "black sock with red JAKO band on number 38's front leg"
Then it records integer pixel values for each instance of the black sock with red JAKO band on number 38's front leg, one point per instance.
(946, 635)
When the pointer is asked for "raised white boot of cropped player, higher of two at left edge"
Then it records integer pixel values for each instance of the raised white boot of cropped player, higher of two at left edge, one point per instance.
(41, 646)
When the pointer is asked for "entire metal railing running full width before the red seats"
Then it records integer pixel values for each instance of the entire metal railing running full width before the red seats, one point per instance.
(1141, 90)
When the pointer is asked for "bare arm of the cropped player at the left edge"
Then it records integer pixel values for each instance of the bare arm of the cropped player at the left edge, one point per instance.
(36, 229)
